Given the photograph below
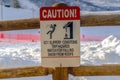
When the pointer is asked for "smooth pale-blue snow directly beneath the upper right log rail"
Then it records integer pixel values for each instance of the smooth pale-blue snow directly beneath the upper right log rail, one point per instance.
(102, 31)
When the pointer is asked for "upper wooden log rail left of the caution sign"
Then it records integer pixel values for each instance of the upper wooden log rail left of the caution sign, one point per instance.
(19, 24)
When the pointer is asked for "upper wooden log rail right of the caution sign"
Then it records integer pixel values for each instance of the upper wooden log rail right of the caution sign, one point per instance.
(100, 20)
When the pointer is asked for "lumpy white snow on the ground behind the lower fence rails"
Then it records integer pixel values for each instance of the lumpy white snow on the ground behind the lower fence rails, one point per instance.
(92, 53)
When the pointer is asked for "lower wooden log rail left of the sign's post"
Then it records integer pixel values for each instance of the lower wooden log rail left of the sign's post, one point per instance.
(24, 72)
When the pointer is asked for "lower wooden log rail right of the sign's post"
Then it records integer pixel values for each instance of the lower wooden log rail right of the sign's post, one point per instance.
(105, 70)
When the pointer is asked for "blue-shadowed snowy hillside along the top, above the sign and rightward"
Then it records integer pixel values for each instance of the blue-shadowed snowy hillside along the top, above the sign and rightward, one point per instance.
(85, 5)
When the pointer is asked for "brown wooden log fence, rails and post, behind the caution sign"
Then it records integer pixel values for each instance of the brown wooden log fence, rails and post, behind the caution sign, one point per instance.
(61, 73)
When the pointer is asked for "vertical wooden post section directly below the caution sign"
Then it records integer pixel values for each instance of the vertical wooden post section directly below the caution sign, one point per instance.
(60, 73)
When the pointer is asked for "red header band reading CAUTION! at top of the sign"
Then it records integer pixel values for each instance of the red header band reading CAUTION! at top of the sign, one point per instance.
(60, 13)
